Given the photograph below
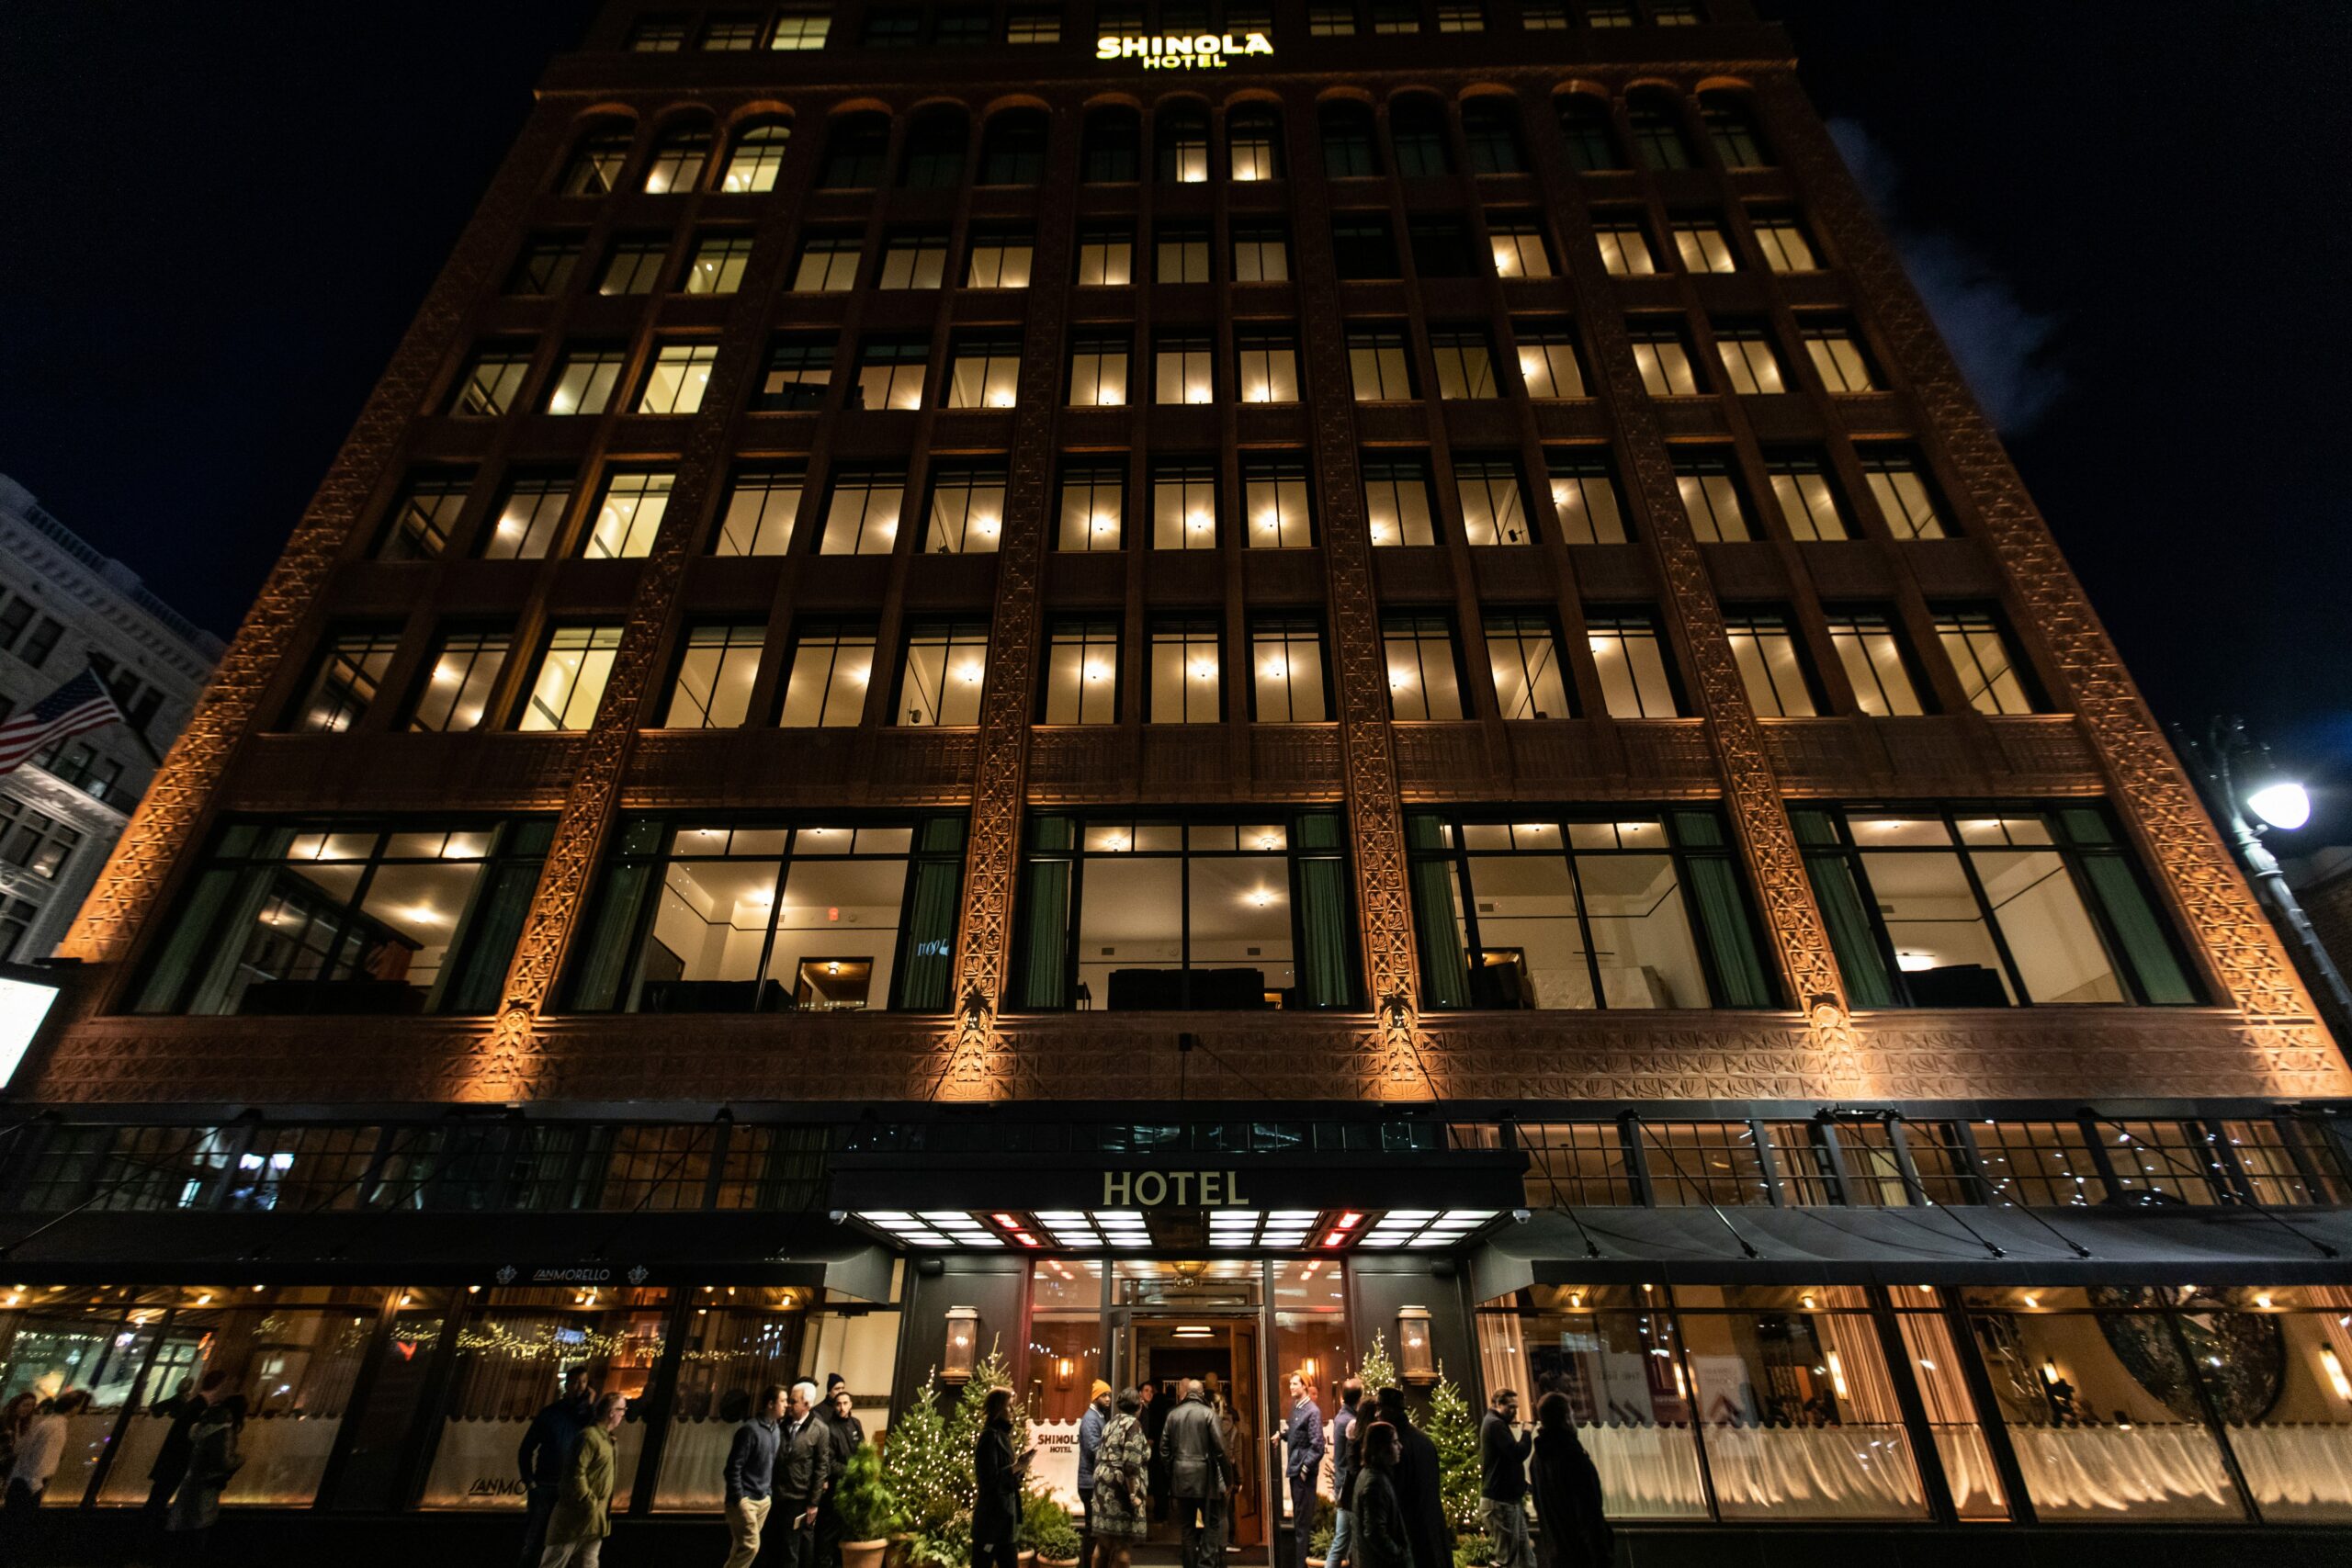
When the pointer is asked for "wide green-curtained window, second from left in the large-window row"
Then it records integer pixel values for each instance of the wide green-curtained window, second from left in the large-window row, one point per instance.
(733, 918)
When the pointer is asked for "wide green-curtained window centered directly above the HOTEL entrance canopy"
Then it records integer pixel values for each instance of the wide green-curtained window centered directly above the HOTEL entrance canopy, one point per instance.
(1187, 913)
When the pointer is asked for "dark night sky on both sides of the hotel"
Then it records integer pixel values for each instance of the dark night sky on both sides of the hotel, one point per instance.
(220, 220)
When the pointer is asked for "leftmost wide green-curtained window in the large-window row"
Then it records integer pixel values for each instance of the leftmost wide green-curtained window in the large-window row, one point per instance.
(349, 918)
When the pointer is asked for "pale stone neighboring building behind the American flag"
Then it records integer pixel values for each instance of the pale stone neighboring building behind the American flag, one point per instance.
(62, 608)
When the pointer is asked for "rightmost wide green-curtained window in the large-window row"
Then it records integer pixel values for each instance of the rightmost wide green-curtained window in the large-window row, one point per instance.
(1986, 906)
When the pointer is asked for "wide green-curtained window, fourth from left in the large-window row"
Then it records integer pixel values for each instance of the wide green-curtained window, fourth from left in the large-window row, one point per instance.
(1556, 911)
